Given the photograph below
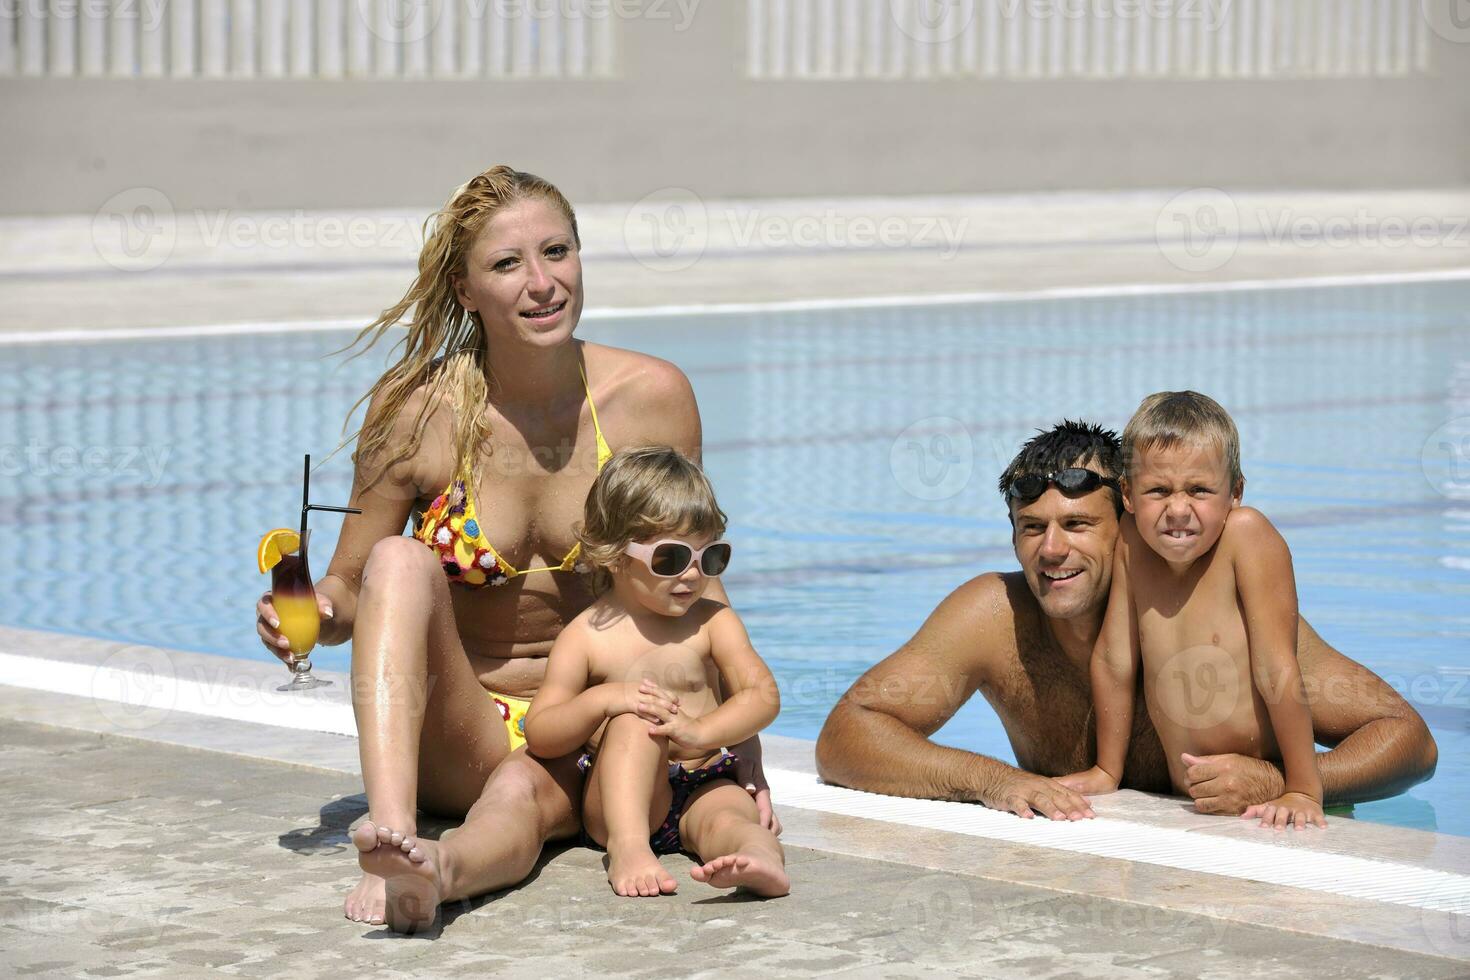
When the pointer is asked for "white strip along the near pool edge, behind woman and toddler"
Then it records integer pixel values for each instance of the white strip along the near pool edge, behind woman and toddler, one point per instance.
(126, 697)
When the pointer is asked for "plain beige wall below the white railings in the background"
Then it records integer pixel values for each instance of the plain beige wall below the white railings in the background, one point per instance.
(684, 115)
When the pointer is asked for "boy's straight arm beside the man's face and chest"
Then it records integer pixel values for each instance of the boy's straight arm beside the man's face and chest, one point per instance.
(1115, 674)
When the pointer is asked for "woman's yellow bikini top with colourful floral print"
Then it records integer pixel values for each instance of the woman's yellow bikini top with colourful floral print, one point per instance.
(451, 527)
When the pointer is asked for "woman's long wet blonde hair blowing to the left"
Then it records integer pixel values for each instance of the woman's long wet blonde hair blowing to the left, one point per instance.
(445, 347)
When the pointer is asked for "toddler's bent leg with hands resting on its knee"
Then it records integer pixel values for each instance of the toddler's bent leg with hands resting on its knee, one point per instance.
(628, 797)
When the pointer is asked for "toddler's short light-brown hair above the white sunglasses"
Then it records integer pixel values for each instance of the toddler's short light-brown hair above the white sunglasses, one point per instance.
(643, 494)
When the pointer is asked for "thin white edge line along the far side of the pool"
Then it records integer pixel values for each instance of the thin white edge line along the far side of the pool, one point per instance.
(86, 336)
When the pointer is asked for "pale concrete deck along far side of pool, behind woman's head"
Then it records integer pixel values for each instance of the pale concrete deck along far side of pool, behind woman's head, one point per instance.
(137, 265)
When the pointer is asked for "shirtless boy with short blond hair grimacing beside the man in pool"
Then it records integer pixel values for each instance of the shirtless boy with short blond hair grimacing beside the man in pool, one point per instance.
(1203, 597)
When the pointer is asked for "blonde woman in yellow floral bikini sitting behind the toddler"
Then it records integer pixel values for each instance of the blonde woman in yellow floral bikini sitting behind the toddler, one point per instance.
(489, 431)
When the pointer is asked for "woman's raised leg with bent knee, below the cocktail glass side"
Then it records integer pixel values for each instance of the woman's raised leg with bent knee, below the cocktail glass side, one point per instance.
(427, 729)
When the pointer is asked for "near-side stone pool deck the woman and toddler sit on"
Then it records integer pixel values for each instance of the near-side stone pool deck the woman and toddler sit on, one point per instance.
(177, 832)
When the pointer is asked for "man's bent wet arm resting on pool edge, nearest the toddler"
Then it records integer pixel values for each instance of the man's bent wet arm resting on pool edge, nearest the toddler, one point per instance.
(877, 737)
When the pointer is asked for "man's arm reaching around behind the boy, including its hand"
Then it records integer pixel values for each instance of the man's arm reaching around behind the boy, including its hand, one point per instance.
(1380, 746)
